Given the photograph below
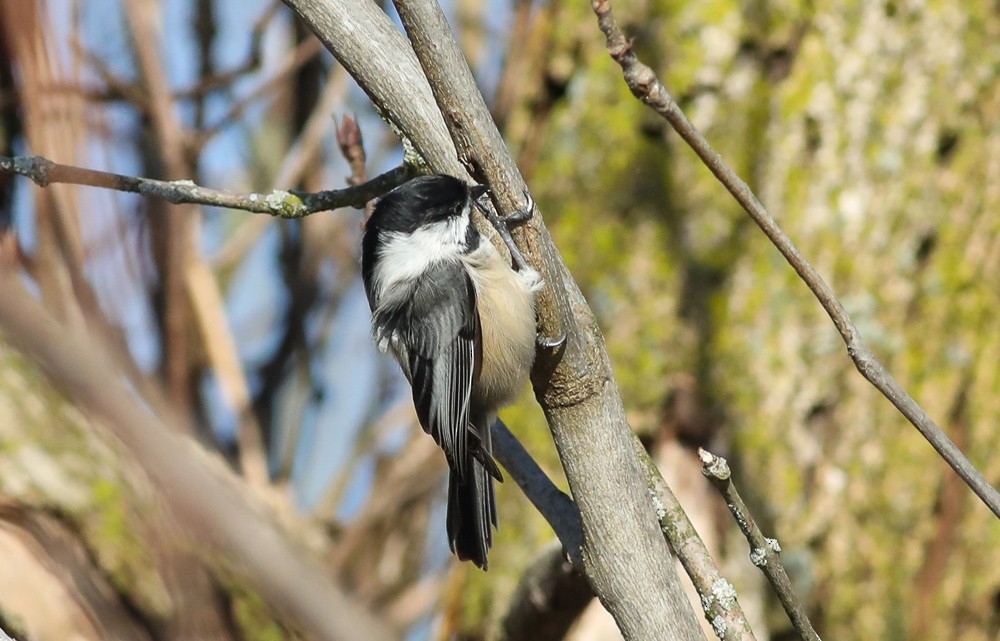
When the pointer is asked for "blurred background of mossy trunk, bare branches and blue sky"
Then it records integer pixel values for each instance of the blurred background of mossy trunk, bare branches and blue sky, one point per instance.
(871, 130)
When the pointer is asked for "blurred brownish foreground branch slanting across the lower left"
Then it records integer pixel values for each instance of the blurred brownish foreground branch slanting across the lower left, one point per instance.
(232, 534)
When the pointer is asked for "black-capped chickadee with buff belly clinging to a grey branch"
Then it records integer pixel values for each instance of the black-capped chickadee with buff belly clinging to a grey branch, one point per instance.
(461, 322)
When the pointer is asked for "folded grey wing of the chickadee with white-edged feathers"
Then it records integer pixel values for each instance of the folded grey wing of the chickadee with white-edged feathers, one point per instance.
(437, 327)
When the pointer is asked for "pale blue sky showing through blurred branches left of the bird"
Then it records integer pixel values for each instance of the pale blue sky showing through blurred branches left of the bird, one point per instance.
(348, 372)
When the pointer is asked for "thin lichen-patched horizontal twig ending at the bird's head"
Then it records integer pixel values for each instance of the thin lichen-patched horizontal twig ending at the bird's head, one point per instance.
(279, 203)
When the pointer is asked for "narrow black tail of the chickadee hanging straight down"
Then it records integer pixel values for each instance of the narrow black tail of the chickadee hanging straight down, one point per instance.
(472, 513)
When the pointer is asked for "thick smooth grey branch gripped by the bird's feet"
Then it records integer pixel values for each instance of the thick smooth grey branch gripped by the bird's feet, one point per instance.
(583, 406)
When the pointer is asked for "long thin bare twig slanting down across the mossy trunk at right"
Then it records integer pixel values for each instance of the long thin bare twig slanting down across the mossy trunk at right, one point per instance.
(645, 86)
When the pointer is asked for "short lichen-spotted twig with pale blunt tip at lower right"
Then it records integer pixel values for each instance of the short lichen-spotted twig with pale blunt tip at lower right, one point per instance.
(763, 551)
